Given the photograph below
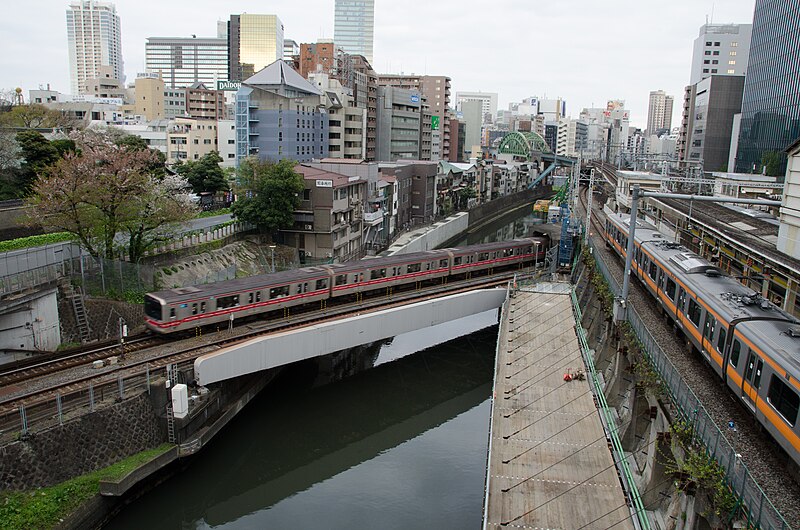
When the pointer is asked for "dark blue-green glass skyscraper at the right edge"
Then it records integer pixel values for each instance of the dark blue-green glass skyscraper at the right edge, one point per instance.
(771, 99)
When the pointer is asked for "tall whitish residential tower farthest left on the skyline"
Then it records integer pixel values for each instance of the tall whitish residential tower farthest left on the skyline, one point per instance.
(94, 39)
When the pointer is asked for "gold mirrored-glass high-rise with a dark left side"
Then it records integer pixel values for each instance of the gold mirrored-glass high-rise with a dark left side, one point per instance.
(254, 41)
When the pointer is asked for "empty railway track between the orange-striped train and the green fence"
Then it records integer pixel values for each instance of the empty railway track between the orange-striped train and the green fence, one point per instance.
(767, 463)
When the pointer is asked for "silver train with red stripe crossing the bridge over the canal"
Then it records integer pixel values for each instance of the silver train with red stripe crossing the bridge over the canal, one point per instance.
(184, 308)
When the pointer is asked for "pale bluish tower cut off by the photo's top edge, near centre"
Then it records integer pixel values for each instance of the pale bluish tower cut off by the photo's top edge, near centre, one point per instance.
(354, 26)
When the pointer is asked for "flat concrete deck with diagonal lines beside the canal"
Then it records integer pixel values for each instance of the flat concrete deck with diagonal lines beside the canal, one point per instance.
(550, 465)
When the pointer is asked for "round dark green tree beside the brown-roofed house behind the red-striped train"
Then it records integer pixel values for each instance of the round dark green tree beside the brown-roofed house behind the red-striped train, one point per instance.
(269, 193)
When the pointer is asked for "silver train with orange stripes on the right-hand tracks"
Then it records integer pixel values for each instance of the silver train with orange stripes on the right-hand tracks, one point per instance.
(753, 345)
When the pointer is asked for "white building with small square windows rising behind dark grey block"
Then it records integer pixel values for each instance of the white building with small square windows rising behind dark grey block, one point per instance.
(720, 49)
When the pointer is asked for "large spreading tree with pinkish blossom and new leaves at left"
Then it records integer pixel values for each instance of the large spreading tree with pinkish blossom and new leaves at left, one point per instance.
(103, 190)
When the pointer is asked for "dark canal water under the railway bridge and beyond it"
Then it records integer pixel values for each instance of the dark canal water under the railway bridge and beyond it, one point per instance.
(402, 445)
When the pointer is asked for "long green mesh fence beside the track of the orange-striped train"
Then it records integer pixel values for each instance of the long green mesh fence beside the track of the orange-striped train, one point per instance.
(759, 510)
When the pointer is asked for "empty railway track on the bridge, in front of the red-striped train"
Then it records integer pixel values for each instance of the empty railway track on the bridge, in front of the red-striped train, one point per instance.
(70, 390)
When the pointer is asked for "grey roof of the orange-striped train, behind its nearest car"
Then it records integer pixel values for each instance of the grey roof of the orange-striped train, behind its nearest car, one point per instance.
(724, 294)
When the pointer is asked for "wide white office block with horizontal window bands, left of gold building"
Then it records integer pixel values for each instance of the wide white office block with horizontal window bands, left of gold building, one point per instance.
(183, 62)
